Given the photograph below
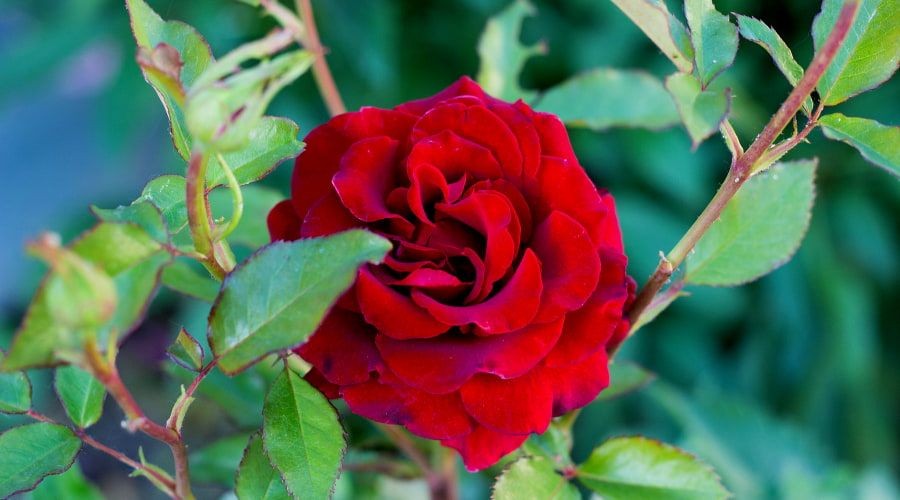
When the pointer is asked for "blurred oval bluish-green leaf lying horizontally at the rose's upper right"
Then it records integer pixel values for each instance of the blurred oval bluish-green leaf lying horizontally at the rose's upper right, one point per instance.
(605, 98)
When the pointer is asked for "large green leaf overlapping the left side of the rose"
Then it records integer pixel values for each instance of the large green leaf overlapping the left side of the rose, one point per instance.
(278, 297)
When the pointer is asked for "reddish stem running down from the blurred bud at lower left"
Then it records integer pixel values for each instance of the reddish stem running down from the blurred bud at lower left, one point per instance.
(108, 375)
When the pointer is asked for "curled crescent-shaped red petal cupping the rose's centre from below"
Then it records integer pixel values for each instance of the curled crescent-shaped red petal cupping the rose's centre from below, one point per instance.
(512, 308)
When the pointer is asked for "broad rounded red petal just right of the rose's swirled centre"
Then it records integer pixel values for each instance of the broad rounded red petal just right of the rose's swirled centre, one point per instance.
(570, 266)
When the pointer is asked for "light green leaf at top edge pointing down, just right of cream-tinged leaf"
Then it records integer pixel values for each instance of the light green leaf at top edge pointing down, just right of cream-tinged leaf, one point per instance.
(714, 38)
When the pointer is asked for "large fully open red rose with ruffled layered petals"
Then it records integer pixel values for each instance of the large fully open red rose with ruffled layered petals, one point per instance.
(506, 284)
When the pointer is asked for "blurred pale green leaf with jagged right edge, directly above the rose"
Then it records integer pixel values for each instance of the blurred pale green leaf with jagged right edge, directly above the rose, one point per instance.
(502, 54)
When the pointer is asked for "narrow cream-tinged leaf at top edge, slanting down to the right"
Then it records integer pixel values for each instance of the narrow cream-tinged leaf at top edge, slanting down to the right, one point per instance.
(664, 29)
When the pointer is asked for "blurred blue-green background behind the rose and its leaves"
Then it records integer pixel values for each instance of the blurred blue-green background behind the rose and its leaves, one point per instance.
(790, 386)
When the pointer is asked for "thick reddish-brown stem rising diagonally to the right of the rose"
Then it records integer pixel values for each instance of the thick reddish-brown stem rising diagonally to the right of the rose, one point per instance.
(741, 168)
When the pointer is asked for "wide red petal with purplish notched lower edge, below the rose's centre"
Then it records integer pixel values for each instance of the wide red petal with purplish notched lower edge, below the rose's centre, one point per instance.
(442, 364)
